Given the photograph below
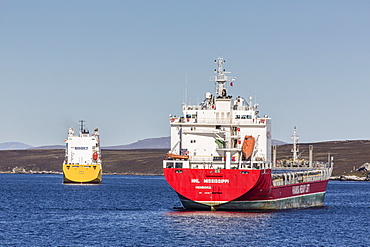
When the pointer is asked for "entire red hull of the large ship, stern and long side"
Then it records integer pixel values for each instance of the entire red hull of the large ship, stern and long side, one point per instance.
(233, 189)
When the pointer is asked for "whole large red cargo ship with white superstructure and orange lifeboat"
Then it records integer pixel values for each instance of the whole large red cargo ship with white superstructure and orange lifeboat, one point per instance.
(221, 159)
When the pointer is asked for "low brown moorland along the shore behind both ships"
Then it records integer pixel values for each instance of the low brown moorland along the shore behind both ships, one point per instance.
(348, 156)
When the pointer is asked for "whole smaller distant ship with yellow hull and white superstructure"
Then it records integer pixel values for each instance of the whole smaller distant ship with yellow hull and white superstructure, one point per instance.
(82, 162)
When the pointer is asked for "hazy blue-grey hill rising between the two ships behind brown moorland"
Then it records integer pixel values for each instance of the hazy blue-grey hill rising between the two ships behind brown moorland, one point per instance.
(150, 143)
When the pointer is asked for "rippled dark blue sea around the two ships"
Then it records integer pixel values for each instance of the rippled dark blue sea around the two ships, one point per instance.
(38, 210)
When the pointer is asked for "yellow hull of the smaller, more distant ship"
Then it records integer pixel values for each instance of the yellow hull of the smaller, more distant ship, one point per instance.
(82, 173)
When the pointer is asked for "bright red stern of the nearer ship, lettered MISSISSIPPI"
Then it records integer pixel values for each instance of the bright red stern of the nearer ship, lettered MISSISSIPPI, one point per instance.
(207, 189)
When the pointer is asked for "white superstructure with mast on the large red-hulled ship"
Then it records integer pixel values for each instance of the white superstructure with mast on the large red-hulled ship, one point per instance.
(212, 133)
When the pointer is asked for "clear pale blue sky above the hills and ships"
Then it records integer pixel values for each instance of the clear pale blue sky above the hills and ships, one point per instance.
(122, 66)
